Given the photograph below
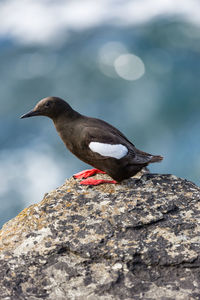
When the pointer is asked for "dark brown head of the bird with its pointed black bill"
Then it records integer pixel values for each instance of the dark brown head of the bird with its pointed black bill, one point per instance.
(50, 107)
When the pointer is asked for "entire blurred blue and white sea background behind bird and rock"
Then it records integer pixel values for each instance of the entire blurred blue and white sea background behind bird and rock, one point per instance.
(133, 63)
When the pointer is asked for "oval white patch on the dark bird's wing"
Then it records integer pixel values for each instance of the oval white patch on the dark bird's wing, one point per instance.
(116, 151)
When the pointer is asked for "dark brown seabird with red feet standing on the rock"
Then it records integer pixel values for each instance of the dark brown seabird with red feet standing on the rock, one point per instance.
(94, 141)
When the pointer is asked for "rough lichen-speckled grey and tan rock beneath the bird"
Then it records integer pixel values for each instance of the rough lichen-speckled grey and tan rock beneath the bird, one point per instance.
(135, 240)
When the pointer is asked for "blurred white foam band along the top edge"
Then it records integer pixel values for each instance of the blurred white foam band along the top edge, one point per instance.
(56, 18)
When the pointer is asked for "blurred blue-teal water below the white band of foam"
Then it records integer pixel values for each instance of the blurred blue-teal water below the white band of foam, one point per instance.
(159, 112)
